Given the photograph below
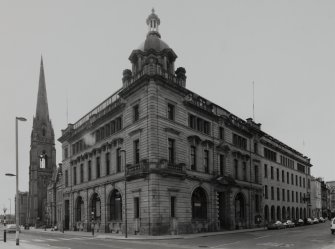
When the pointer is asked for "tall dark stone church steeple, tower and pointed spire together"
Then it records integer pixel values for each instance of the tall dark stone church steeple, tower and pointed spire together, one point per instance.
(42, 157)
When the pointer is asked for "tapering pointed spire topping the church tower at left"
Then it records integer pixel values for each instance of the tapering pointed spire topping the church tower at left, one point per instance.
(42, 112)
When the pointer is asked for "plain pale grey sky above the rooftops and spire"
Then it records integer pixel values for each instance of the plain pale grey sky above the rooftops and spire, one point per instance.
(287, 48)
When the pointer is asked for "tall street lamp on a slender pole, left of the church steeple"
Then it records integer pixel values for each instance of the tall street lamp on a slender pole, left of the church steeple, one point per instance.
(17, 180)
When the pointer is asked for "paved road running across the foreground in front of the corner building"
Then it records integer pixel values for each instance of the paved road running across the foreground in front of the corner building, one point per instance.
(316, 236)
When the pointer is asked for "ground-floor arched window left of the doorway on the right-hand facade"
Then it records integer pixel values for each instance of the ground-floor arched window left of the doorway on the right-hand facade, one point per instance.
(199, 204)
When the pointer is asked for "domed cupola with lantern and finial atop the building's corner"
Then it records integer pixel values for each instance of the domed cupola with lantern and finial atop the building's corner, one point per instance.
(154, 56)
